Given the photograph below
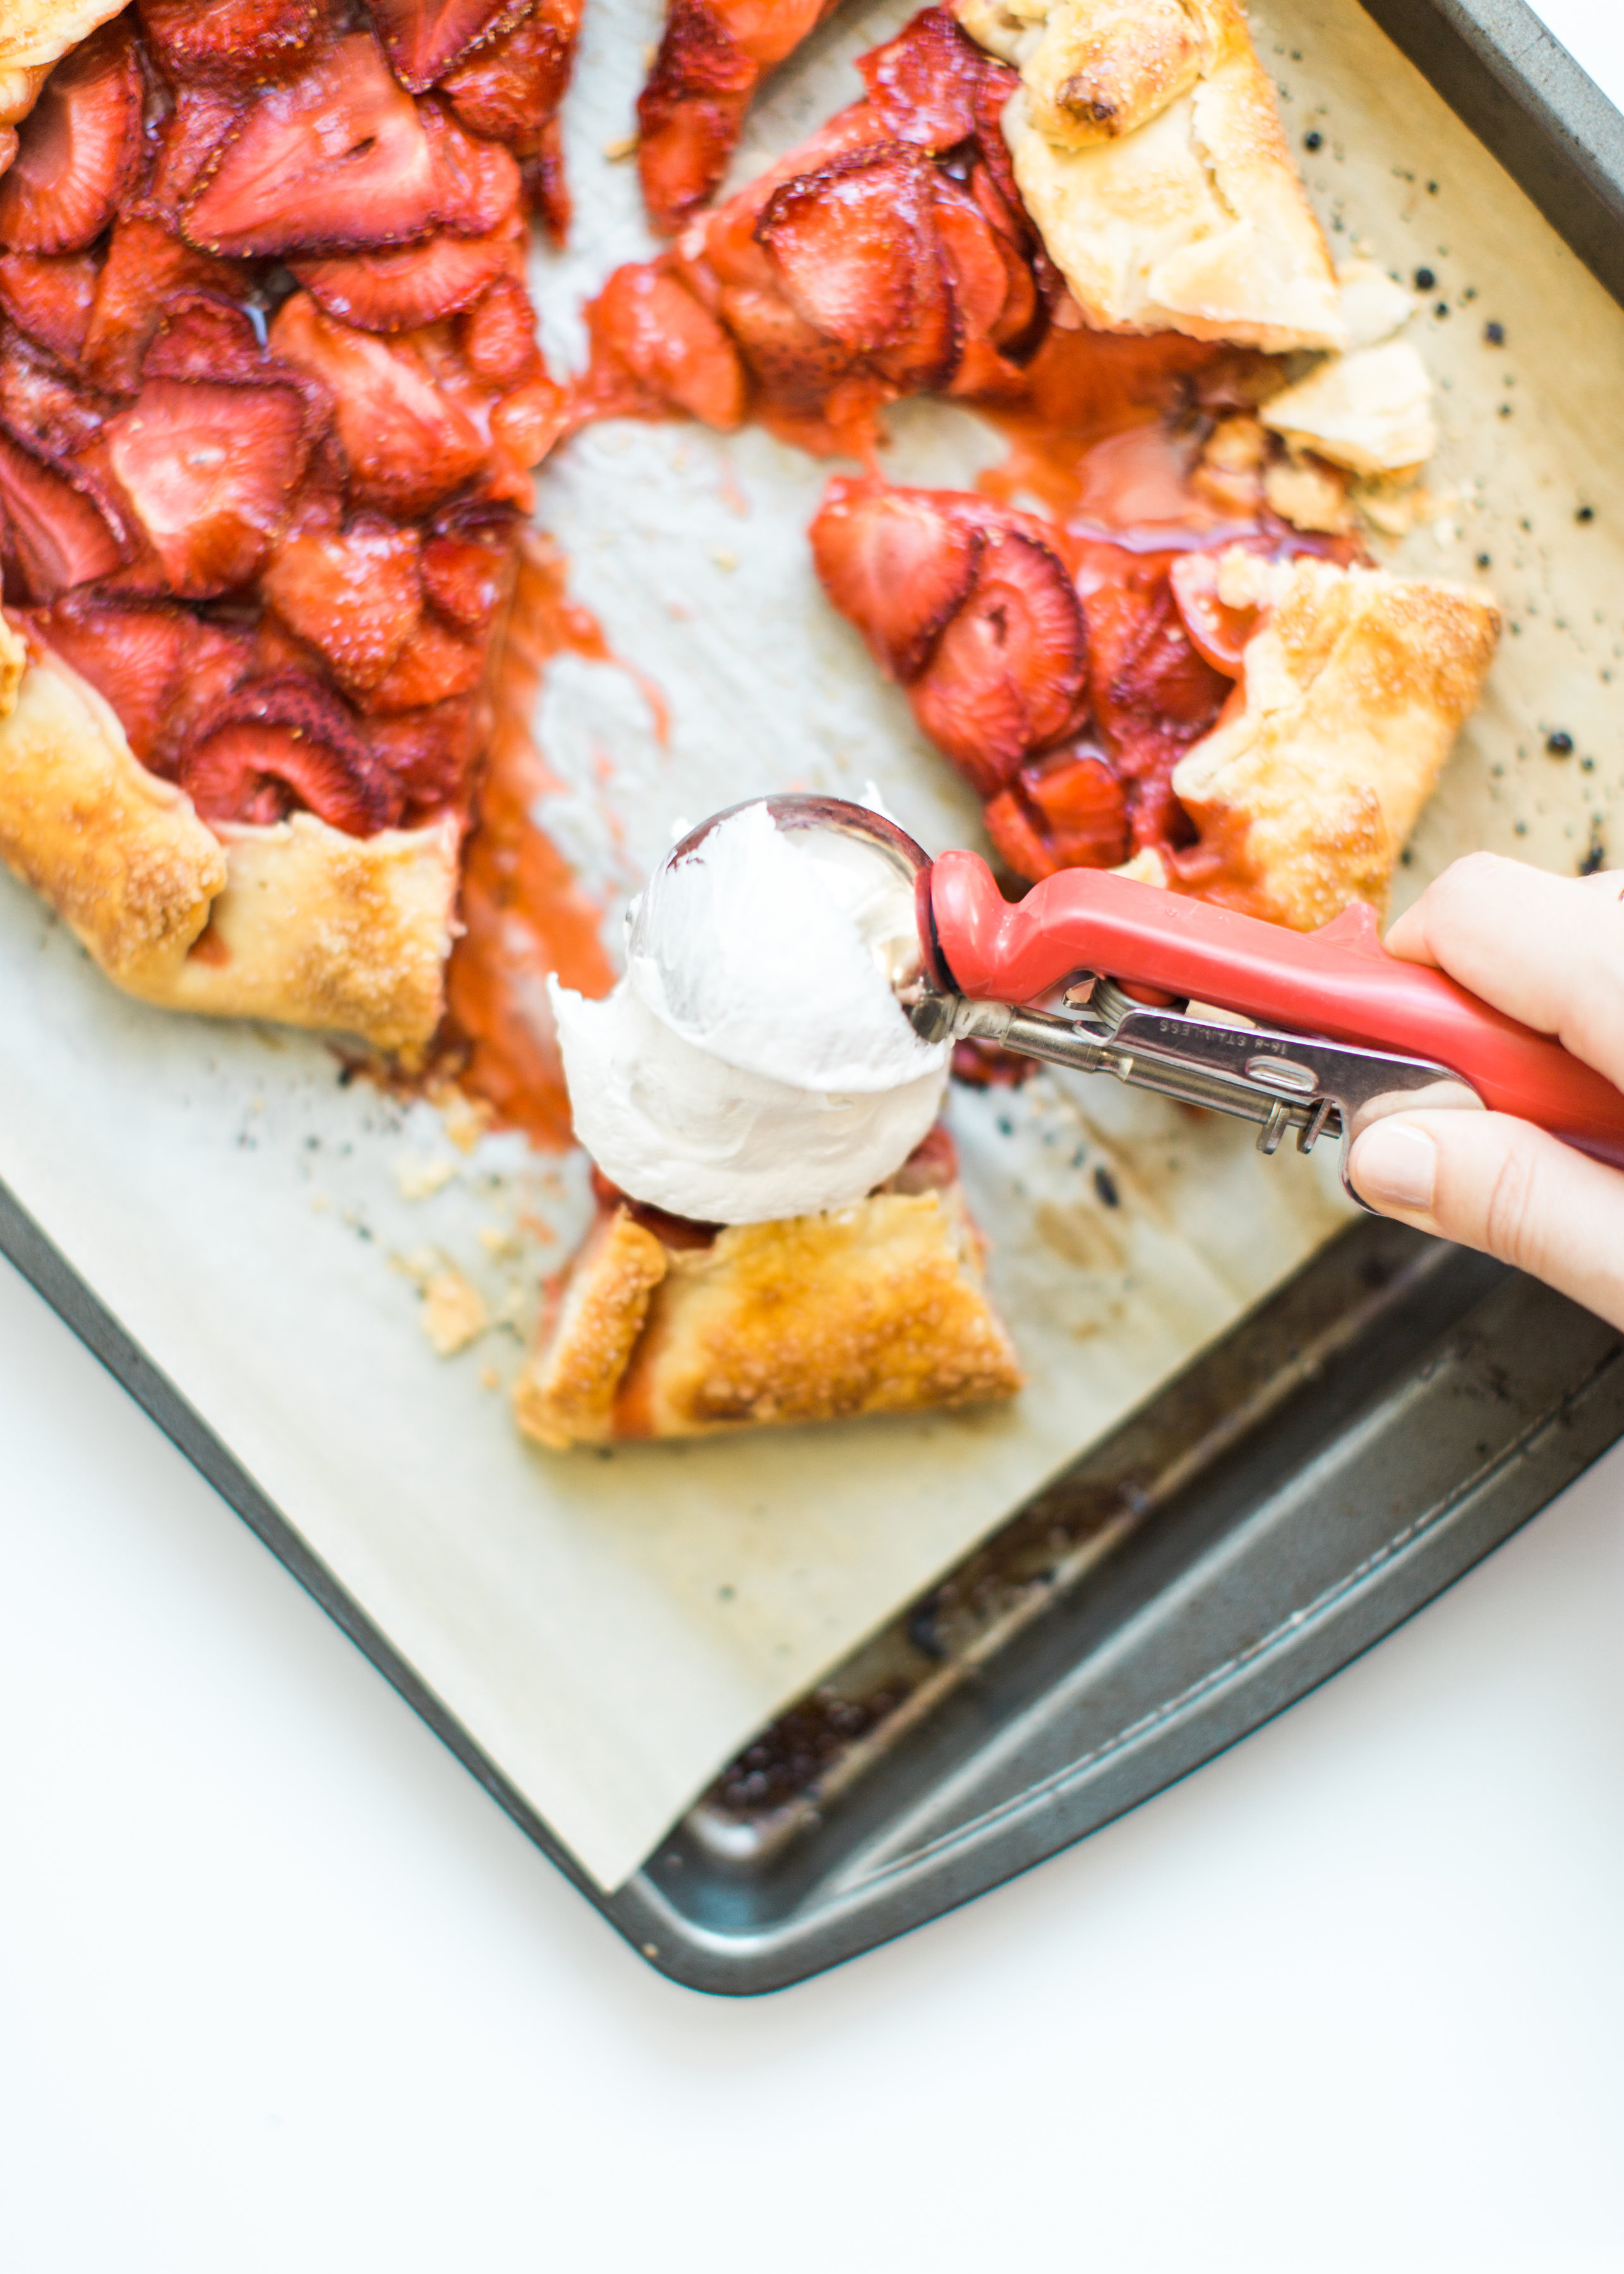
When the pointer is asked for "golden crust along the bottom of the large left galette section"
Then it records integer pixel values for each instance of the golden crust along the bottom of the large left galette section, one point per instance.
(297, 924)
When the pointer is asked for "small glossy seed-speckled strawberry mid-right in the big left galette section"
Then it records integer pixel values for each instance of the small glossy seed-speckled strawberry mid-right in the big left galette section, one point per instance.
(351, 595)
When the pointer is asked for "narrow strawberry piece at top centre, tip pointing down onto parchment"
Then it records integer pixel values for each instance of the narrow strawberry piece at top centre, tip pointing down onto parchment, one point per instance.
(690, 113)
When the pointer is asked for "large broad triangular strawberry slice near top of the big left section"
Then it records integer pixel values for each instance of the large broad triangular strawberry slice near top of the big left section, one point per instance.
(331, 160)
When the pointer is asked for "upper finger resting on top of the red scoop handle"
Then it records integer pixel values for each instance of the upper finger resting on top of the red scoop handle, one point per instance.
(1546, 949)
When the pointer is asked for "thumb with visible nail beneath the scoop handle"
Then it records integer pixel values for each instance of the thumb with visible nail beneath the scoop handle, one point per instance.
(1507, 1188)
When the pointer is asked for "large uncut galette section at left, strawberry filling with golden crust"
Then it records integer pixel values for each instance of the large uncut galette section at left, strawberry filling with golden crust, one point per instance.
(270, 404)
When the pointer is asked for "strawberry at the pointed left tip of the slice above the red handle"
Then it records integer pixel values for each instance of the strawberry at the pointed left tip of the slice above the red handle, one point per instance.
(895, 565)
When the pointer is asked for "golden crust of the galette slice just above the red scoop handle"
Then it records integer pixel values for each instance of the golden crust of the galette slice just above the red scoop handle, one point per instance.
(1352, 695)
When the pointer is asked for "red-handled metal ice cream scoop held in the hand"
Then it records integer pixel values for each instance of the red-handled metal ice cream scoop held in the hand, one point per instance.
(1339, 1031)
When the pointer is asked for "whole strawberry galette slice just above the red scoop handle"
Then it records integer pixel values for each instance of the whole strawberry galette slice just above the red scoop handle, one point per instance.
(1257, 722)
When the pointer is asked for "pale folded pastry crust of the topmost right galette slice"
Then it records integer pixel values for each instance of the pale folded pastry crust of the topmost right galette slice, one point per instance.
(1150, 153)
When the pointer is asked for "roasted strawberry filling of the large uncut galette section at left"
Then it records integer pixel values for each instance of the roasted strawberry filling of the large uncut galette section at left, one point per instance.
(270, 390)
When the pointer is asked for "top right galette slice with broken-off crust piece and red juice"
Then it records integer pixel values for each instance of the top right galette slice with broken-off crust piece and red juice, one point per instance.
(1082, 219)
